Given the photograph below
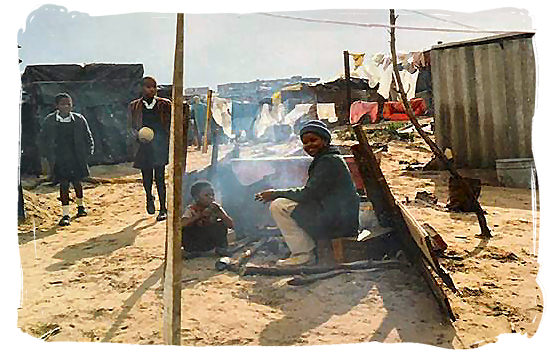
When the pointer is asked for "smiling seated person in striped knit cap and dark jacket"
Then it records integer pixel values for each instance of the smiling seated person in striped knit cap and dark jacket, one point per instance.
(326, 207)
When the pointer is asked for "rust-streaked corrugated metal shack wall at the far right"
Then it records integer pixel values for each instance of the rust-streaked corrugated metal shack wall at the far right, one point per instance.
(484, 99)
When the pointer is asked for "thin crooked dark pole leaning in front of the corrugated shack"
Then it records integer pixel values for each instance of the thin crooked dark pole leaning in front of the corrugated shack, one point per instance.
(485, 231)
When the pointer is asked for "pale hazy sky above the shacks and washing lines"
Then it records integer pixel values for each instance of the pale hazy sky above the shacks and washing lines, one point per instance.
(223, 48)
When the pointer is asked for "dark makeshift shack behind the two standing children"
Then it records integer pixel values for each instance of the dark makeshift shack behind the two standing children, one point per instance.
(101, 92)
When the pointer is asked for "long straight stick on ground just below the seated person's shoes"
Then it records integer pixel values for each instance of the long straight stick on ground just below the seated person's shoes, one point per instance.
(297, 270)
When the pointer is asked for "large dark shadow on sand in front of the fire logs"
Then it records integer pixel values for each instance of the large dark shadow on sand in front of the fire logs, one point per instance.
(308, 307)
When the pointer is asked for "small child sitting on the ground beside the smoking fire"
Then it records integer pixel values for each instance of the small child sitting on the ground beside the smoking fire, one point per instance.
(205, 223)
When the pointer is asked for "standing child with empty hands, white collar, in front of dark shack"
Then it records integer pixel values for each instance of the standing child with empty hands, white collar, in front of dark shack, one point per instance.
(68, 144)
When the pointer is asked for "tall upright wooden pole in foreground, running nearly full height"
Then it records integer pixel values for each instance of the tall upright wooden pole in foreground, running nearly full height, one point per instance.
(171, 327)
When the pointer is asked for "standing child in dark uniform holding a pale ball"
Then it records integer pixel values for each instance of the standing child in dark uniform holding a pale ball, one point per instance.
(150, 156)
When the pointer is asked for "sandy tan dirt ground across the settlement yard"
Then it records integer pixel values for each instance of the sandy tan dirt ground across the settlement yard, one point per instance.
(100, 279)
